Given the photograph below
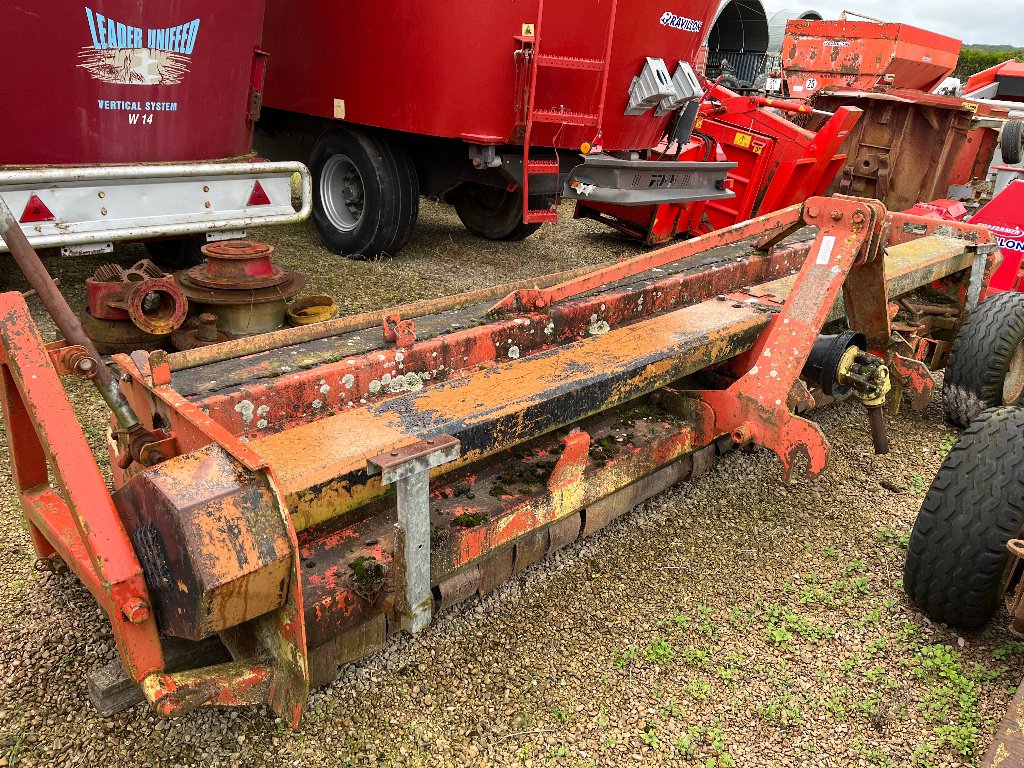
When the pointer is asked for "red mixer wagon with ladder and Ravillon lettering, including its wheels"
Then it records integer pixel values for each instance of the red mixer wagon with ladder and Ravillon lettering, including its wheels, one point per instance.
(502, 108)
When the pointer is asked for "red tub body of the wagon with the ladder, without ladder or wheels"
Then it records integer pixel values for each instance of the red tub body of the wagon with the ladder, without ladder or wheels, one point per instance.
(449, 69)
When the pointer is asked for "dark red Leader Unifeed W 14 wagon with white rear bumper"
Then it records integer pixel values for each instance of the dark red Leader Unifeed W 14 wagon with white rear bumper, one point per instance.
(137, 122)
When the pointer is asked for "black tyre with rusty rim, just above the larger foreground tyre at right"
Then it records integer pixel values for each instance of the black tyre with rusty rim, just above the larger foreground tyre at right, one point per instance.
(987, 364)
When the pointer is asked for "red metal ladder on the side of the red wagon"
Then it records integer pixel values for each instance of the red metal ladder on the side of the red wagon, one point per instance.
(559, 117)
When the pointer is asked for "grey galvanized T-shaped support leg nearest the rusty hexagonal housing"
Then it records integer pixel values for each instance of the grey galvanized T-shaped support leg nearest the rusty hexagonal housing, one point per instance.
(410, 468)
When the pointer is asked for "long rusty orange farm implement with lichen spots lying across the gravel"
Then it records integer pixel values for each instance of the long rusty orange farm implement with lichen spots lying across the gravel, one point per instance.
(305, 494)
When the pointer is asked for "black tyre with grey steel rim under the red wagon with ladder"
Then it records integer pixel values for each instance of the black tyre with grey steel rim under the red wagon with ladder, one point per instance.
(366, 194)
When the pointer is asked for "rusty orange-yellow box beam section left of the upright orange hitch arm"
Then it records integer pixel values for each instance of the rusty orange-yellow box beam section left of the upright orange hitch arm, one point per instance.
(321, 464)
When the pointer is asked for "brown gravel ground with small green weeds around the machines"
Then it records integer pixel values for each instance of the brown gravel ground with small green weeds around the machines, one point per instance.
(731, 621)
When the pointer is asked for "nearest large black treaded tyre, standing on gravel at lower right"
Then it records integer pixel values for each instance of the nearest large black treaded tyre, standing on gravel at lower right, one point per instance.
(958, 556)
